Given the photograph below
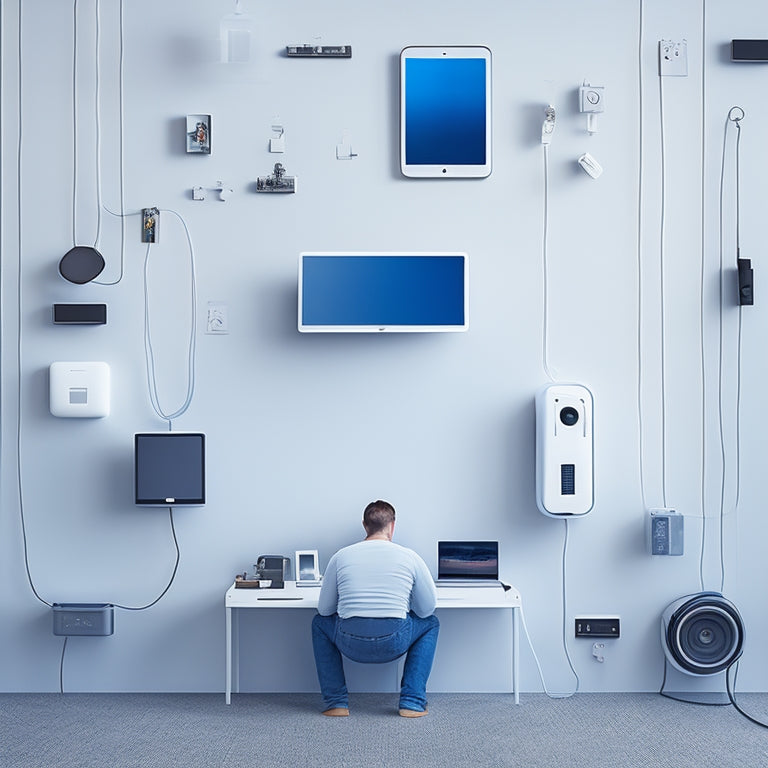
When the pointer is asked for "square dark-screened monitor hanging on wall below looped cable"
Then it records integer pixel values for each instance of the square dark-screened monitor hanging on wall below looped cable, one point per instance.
(169, 469)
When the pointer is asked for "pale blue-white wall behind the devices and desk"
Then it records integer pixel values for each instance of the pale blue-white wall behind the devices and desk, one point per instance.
(303, 431)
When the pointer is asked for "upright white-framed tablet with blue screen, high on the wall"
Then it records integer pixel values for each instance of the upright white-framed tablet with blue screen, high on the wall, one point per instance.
(445, 111)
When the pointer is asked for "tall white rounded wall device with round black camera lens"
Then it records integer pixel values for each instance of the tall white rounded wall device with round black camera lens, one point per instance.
(564, 450)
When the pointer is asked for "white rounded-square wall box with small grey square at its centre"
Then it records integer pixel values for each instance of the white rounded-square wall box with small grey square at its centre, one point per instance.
(79, 390)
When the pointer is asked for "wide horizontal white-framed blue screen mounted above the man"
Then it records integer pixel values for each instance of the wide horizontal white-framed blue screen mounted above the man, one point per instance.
(347, 292)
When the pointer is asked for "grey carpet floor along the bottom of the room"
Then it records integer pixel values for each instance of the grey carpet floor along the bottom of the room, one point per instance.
(472, 730)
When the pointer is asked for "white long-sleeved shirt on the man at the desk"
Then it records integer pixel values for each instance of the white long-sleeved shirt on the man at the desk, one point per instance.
(377, 579)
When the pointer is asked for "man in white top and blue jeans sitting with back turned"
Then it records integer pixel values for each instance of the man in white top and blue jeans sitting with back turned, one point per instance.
(377, 603)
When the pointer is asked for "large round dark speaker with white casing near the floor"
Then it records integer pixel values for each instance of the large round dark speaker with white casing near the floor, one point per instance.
(702, 634)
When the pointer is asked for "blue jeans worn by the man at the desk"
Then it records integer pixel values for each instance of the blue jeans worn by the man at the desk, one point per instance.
(374, 641)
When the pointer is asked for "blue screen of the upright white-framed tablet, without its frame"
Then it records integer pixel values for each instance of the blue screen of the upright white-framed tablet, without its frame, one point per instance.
(445, 111)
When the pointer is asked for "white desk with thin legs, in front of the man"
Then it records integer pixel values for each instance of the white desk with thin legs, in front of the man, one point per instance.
(306, 597)
